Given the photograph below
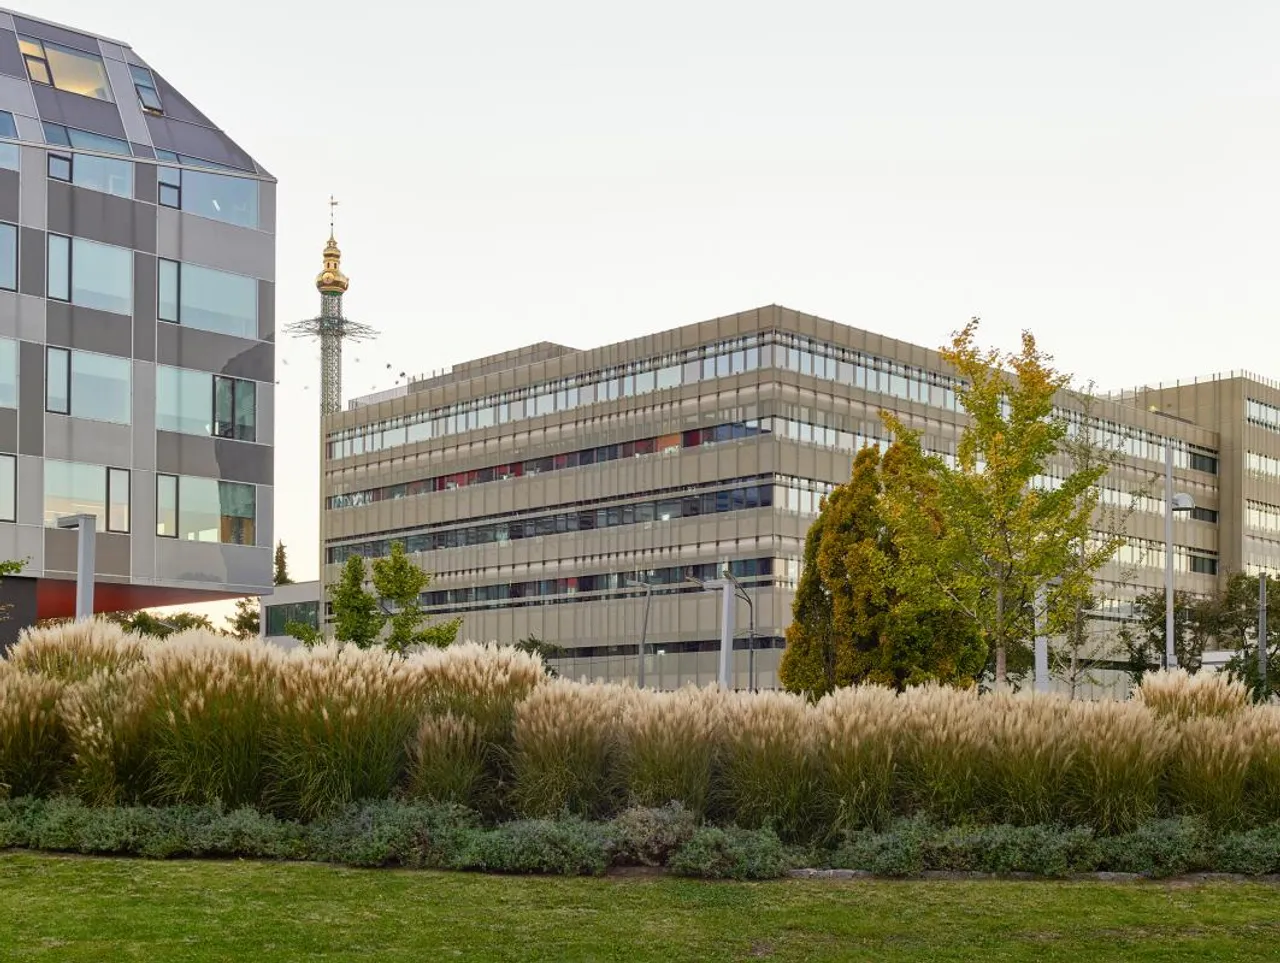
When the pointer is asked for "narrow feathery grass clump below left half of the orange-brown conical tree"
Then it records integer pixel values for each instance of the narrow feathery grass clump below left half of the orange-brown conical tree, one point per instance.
(857, 756)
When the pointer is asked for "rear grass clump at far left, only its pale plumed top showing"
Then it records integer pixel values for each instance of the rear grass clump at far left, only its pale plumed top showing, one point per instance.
(75, 651)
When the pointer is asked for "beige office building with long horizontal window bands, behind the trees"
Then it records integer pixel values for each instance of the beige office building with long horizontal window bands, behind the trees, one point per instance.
(536, 485)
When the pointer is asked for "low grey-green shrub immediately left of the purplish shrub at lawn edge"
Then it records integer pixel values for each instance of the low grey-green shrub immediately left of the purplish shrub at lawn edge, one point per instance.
(568, 847)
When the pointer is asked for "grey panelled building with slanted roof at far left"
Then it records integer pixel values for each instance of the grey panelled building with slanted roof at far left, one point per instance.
(138, 262)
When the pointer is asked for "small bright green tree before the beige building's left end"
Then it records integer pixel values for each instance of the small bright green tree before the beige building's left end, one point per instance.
(362, 617)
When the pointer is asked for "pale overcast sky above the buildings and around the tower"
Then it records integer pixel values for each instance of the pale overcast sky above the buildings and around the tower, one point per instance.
(1103, 174)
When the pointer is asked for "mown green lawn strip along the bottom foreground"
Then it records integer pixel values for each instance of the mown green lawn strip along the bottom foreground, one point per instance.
(61, 909)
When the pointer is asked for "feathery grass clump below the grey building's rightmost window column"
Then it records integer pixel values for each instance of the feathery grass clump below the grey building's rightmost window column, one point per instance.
(213, 702)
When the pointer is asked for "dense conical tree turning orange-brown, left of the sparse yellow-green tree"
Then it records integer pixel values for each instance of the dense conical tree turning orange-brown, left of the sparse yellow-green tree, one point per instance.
(851, 622)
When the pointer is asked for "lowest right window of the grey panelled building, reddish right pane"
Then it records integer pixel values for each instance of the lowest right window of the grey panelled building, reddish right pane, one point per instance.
(205, 510)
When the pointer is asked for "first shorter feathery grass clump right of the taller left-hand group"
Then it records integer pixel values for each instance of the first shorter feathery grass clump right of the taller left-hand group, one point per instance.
(565, 754)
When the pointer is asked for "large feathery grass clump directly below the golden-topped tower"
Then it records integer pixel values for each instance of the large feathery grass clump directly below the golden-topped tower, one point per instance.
(341, 727)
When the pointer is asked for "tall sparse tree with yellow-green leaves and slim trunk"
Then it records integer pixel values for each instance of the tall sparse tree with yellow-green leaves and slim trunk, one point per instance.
(1004, 538)
